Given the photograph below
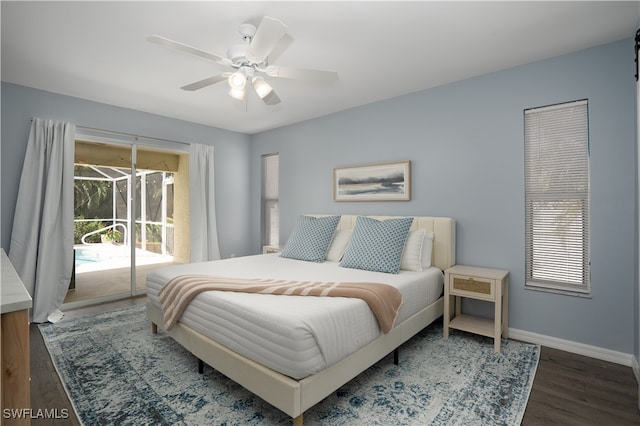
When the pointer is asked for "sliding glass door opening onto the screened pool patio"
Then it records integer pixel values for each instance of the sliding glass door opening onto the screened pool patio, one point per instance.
(125, 218)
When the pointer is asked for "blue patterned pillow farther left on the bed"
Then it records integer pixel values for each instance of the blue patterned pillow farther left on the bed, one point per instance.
(311, 238)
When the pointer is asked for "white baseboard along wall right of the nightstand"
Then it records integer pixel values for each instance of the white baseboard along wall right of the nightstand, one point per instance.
(577, 348)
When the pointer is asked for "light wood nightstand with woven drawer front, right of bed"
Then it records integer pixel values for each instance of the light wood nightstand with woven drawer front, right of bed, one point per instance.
(491, 285)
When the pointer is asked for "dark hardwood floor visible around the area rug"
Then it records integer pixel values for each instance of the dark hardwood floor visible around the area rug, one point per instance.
(568, 389)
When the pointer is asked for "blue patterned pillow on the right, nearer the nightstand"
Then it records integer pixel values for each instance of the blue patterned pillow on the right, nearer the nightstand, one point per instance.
(377, 245)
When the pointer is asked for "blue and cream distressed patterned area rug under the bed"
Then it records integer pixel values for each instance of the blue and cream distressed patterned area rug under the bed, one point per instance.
(116, 372)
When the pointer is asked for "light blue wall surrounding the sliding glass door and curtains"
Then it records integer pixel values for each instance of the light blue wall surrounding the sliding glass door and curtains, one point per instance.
(232, 152)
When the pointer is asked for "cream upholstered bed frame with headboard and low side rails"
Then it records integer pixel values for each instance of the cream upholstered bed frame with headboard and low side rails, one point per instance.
(295, 396)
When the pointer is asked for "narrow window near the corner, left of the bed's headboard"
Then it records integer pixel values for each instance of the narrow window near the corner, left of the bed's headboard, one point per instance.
(270, 209)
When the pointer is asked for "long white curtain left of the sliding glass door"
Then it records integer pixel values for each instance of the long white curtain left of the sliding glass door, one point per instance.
(41, 247)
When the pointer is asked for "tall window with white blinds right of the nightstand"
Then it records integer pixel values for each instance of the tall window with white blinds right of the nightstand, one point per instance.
(557, 198)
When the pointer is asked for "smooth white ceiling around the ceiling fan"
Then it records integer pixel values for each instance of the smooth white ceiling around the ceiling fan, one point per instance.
(98, 51)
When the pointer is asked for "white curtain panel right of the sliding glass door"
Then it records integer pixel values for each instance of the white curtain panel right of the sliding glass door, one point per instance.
(202, 206)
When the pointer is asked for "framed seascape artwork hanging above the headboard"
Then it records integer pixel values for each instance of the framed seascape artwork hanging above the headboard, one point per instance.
(373, 182)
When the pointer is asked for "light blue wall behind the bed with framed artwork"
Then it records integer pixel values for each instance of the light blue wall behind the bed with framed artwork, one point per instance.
(465, 143)
